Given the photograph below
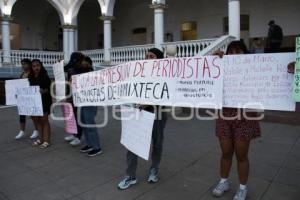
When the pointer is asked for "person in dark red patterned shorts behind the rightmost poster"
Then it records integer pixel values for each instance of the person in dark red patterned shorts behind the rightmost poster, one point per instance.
(234, 136)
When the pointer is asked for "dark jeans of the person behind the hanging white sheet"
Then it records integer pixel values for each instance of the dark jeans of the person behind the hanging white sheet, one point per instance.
(157, 147)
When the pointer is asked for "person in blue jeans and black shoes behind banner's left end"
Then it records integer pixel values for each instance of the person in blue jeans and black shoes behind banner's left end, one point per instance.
(88, 114)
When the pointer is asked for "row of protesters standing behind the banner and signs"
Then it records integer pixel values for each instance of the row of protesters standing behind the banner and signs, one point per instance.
(234, 134)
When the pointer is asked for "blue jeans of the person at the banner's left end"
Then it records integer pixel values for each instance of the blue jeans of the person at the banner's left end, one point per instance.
(88, 115)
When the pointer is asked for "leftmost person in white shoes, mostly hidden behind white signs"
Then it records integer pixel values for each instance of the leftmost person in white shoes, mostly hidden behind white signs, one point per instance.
(26, 65)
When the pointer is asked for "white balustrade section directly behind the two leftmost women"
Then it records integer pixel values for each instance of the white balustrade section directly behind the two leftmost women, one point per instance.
(47, 57)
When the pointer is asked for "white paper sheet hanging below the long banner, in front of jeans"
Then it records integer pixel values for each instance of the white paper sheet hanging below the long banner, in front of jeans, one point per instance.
(137, 130)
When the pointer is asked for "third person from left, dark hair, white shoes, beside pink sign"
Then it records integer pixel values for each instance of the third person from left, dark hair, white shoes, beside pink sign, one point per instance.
(71, 68)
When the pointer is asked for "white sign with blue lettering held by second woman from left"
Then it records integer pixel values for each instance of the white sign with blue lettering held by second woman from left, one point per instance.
(29, 101)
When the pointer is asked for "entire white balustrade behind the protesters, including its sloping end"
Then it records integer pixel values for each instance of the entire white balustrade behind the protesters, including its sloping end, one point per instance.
(127, 53)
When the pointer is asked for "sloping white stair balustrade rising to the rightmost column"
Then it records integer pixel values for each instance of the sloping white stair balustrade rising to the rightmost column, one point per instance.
(219, 44)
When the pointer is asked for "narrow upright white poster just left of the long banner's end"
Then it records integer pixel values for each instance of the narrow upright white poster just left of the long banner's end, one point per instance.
(60, 81)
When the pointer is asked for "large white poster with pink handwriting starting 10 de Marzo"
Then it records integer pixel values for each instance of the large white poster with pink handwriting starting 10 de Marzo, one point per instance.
(258, 81)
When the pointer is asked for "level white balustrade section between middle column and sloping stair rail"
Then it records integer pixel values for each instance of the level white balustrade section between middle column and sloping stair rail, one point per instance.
(189, 48)
